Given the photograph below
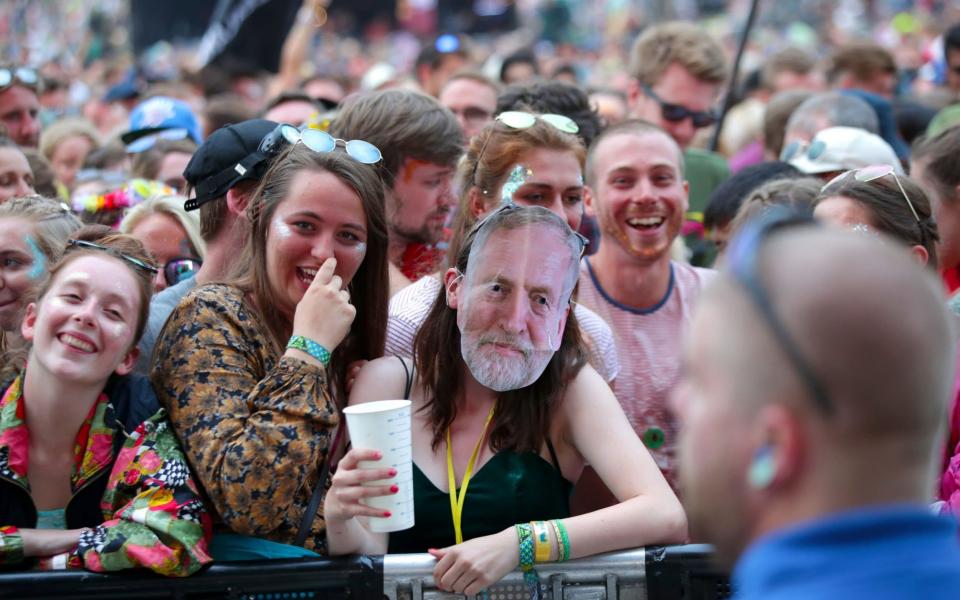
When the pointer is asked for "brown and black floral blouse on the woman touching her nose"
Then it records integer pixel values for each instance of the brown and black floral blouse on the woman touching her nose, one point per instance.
(256, 426)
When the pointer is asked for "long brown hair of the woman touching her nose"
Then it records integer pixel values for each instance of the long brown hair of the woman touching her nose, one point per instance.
(368, 289)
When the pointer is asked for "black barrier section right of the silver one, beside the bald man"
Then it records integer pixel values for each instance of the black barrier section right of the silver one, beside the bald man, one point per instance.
(687, 572)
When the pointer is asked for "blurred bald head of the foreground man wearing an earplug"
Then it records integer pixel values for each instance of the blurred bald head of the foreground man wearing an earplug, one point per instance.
(871, 325)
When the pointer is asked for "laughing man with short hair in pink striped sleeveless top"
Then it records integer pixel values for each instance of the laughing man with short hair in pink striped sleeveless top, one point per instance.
(635, 170)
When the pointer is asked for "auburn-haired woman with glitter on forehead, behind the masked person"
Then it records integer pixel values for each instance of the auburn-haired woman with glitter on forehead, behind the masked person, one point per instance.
(532, 160)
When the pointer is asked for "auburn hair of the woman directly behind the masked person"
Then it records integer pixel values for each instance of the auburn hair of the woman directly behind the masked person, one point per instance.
(488, 161)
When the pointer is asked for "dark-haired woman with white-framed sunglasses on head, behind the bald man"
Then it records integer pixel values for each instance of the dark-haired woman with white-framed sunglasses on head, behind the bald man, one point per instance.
(875, 200)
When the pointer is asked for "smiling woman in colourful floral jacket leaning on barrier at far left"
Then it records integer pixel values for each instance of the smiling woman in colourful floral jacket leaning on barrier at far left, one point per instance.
(91, 474)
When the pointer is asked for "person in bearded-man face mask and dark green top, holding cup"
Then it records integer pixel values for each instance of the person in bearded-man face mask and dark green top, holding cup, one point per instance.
(503, 400)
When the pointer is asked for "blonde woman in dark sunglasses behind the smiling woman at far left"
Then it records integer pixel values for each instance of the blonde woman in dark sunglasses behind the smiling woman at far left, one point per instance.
(170, 234)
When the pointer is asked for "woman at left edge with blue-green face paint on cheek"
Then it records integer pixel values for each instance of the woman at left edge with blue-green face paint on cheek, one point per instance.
(33, 231)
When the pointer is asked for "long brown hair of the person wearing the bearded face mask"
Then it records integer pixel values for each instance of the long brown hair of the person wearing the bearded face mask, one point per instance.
(522, 420)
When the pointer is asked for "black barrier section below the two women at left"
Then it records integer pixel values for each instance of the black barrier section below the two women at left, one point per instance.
(357, 578)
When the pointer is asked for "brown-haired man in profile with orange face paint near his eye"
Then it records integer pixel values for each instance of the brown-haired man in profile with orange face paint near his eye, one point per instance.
(421, 142)
